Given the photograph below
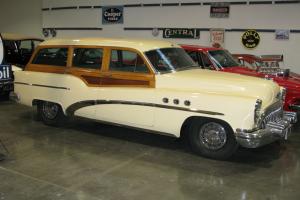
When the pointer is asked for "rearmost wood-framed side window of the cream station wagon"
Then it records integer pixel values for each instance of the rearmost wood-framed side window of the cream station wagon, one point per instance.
(51, 56)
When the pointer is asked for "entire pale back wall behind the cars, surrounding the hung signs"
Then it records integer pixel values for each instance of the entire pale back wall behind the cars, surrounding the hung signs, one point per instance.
(26, 17)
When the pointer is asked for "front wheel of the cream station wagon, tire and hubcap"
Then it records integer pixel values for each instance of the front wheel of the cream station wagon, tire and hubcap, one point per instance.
(212, 138)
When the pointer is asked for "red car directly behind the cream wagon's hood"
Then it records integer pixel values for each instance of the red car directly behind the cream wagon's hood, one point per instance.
(220, 59)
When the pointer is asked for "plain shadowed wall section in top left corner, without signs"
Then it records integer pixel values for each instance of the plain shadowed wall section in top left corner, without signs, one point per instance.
(21, 16)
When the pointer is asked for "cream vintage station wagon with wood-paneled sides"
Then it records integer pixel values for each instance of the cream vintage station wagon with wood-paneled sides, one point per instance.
(152, 85)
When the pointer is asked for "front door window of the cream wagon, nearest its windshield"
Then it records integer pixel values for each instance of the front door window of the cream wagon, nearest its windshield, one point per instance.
(127, 61)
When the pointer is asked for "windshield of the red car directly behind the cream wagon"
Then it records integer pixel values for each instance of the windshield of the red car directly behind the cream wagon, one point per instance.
(223, 58)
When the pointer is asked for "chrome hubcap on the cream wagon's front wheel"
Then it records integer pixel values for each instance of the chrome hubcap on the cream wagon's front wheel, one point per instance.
(213, 135)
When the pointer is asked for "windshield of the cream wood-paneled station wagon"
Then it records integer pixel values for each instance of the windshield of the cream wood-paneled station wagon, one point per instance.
(170, 59)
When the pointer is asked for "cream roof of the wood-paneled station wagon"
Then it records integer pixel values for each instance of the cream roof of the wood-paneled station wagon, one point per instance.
(140, 44)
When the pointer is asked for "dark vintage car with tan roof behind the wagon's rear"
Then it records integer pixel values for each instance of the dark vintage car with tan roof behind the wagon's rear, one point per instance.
(18, 48)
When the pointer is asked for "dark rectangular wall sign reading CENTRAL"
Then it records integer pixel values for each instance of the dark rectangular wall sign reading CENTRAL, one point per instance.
(186, 33)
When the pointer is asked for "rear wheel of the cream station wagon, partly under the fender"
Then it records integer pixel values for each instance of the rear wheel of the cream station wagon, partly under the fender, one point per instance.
(51, 113)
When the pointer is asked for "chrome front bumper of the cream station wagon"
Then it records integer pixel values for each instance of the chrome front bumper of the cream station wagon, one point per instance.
(273, 131)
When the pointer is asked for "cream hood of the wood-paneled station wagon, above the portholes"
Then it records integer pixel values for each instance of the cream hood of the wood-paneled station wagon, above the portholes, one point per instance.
(215, 82)
